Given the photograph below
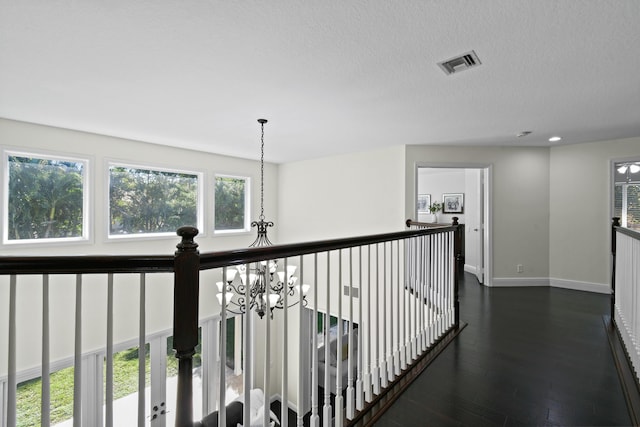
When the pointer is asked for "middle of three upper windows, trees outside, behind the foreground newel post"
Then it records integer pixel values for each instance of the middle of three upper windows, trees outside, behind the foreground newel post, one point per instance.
(145, 201)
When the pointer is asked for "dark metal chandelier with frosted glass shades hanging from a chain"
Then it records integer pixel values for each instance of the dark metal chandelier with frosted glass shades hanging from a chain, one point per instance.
(266, 284)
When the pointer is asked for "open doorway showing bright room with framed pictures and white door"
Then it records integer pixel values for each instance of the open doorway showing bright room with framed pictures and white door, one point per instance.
(470, 185)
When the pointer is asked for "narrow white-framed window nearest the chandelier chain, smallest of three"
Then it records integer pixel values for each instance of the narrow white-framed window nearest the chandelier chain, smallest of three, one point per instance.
(231, 204)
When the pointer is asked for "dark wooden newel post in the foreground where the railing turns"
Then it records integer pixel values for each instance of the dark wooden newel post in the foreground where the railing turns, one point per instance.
(185, 320)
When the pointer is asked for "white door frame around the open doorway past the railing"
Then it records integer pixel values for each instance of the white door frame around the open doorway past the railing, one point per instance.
(486, 200)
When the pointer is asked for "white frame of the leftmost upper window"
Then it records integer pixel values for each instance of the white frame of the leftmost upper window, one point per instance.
(87, 194)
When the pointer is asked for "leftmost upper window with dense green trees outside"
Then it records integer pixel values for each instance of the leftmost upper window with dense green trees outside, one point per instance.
(45, 198)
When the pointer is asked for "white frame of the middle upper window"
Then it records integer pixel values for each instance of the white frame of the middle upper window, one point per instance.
(152, 167)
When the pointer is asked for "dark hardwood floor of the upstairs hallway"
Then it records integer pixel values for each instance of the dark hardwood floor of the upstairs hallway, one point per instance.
(529, 356)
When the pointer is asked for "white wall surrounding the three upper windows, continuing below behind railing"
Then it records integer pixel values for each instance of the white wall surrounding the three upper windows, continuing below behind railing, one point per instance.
(99, 149)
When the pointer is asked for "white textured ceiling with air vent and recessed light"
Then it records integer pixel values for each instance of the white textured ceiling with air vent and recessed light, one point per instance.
(331, 76)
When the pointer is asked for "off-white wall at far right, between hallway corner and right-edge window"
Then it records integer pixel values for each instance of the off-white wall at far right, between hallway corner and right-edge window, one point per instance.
(580, 211)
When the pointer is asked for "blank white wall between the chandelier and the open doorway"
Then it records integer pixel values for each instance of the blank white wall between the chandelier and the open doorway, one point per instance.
(342, 196)
